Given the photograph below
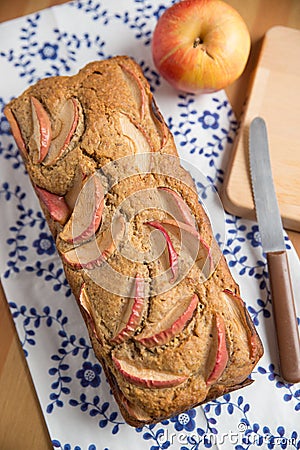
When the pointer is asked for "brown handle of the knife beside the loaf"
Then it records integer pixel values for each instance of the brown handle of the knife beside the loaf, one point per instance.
(285, 316)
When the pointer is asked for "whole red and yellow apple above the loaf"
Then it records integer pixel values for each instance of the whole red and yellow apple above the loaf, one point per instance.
(200, 45)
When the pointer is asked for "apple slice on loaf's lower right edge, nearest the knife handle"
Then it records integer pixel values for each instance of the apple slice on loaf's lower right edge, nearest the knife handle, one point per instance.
(238, 307)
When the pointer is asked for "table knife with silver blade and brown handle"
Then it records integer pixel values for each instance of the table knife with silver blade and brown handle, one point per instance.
(271, 233)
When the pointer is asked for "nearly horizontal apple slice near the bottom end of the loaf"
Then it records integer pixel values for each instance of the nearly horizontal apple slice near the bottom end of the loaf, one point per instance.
(146, 377)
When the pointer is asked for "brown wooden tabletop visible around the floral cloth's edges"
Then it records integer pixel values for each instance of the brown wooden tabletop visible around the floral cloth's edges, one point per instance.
(22, 426)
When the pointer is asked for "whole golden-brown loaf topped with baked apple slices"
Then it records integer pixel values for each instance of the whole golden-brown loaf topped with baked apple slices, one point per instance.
(164, 315)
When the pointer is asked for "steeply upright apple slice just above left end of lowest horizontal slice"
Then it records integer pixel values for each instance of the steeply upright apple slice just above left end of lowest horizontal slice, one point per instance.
(133, 313)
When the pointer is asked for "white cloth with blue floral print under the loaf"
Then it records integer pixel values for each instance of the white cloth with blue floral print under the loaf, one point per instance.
(70, 381)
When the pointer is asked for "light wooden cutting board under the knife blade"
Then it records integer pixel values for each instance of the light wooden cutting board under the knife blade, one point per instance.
(275, 96)
